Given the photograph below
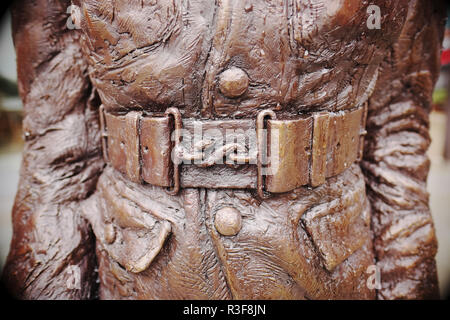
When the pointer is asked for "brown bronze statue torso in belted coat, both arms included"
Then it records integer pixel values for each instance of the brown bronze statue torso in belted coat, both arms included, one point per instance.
(319, 185)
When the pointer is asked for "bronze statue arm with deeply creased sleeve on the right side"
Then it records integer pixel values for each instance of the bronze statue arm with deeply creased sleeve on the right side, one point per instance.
(395, 161)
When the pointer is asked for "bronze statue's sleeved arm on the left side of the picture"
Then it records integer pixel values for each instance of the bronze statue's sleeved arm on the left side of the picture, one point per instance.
(52, 253)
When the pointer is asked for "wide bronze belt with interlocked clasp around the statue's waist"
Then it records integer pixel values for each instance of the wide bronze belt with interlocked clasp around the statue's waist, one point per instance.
(267, 154)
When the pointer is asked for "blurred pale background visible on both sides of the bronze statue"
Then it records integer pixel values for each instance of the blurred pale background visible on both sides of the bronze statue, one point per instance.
(11, 146)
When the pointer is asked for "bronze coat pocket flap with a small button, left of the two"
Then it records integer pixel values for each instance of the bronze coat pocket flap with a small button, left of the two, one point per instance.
(132, 237)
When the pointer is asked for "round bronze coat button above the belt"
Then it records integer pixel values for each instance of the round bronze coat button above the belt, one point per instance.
(233, 82)
